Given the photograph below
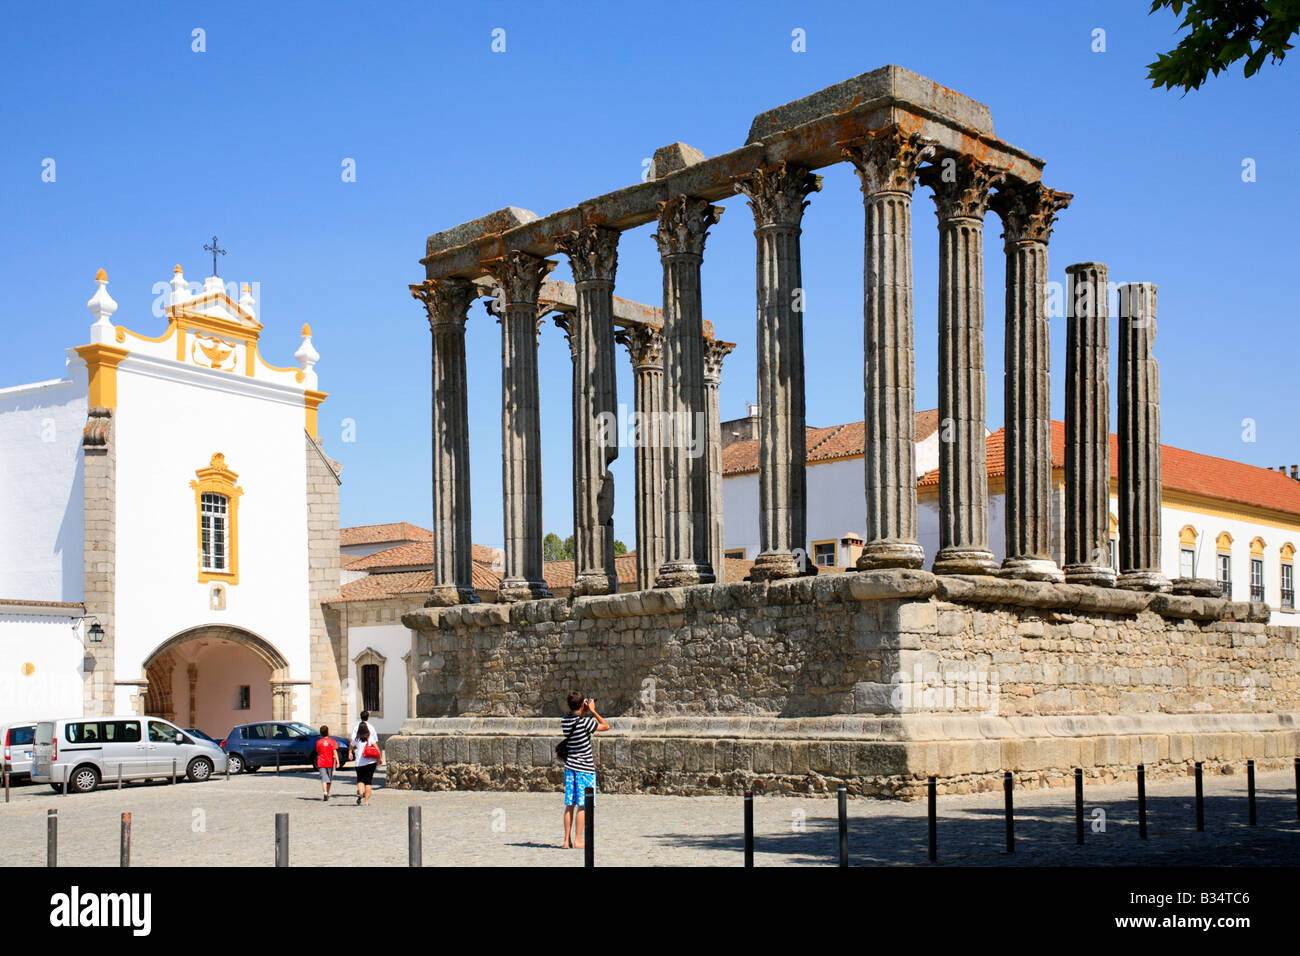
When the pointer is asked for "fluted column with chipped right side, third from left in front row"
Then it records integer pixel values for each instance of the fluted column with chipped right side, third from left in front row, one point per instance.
(593, 254)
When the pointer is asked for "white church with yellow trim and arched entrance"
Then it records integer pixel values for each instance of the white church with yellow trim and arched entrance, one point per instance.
(170, 526)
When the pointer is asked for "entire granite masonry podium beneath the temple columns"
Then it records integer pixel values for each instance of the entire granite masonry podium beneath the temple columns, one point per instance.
(876, 680)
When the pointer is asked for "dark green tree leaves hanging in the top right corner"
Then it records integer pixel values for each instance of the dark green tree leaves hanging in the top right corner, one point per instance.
(1221, 33)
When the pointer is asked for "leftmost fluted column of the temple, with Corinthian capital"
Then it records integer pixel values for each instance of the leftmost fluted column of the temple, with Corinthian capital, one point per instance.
(448, 305)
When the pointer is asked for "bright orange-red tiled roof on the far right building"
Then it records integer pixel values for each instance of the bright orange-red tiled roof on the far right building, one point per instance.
(1181, 471)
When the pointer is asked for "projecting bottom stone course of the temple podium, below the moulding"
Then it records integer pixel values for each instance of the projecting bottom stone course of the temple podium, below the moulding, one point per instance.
(890, 756)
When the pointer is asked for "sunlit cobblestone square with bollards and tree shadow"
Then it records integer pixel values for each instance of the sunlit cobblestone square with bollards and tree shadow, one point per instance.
(232, 824)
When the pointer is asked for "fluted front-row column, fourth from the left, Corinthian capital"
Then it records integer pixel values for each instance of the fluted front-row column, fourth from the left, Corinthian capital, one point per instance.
(683, 228)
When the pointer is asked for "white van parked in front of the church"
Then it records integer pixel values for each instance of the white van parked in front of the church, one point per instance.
(86, 752)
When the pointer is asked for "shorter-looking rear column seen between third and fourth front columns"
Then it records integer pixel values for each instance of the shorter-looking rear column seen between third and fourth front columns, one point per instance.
(645, 348)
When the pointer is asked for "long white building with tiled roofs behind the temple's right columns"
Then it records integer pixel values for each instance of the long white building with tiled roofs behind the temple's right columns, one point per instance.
(1223, 520)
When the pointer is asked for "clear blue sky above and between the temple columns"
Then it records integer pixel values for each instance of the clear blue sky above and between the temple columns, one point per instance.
(158, 148)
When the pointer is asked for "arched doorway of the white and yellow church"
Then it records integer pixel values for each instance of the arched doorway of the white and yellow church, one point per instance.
(216, 678)
